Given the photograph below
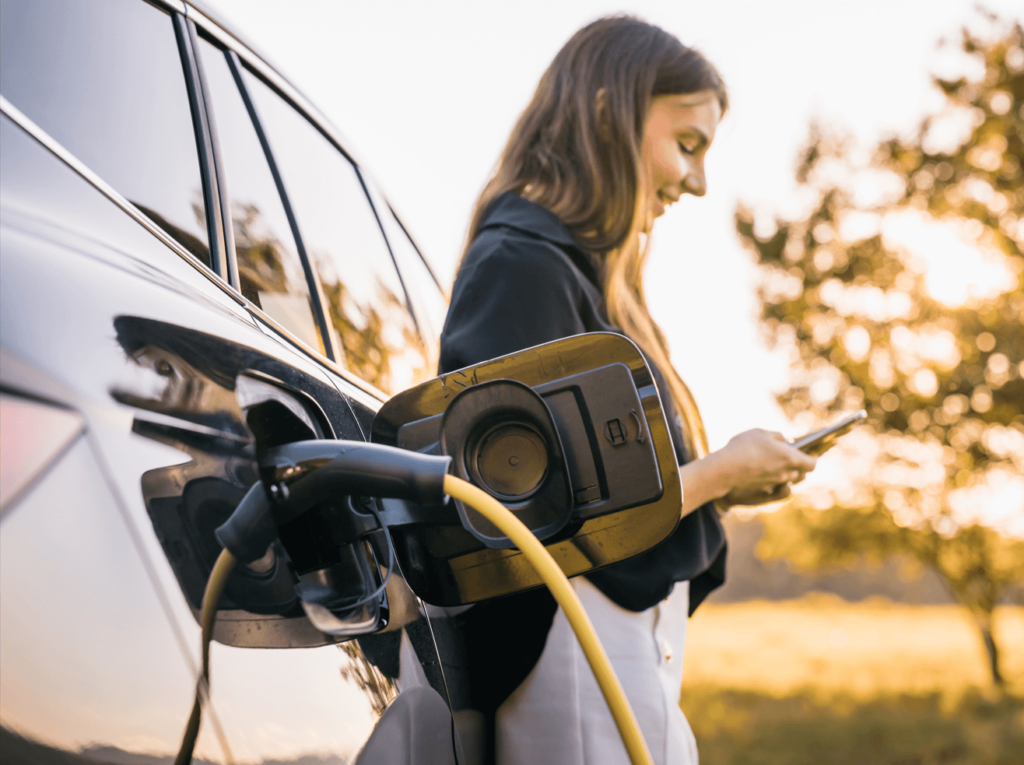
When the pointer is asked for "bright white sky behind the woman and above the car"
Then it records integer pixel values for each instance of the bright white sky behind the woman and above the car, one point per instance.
(428, 94)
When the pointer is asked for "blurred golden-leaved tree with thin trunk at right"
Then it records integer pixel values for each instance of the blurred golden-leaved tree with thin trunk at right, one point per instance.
(903, 291)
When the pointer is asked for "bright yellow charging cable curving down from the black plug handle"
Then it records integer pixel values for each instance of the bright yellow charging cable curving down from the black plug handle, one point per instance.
(563, 591)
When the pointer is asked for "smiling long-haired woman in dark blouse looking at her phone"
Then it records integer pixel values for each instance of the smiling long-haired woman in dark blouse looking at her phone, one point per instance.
(617, 132)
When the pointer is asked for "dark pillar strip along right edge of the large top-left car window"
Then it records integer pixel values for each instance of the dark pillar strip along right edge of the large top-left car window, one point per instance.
(207, 164)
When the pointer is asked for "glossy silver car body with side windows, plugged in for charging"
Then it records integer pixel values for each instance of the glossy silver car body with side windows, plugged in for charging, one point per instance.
(194, 269)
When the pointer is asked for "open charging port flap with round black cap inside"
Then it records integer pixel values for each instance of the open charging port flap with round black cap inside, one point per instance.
(570, 436)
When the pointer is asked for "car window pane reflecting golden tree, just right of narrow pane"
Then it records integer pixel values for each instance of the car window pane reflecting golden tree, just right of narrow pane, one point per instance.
(367, 305)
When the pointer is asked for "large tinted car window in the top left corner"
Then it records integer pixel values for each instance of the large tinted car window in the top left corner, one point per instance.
(106, 80)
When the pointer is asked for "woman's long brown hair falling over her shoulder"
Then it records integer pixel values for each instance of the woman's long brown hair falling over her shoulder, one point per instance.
(576, 151)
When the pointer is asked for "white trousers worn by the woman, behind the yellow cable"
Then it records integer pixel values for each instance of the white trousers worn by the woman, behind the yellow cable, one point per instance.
(559, 716)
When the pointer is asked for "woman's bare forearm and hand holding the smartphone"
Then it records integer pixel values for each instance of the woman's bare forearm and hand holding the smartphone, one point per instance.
(753, 469)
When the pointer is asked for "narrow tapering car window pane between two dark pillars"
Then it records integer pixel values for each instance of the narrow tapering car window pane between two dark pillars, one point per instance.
(271, 273)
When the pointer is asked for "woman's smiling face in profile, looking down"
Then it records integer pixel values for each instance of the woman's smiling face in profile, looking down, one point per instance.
(679, 131)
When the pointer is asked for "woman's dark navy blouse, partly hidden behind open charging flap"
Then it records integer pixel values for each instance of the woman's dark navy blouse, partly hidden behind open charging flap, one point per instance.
(524, 282)
